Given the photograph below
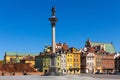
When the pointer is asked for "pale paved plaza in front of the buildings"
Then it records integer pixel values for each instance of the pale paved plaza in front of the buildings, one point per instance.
(67, 77)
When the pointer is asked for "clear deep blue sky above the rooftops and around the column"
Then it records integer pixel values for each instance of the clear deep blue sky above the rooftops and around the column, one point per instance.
(24, 25)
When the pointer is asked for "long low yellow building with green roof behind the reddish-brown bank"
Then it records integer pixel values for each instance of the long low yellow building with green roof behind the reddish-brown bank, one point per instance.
(15, 57)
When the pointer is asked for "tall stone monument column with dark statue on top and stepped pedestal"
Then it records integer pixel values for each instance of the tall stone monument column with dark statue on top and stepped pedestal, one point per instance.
(53, 55)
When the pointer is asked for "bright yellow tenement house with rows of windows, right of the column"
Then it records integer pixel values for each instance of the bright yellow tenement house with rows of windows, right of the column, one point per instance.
(73, 61)
